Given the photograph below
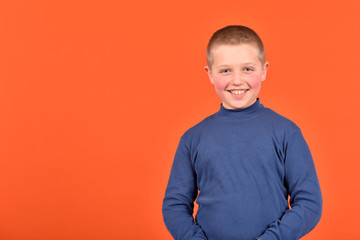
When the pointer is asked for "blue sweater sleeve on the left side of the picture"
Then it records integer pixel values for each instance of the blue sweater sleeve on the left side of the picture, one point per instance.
(179, 198)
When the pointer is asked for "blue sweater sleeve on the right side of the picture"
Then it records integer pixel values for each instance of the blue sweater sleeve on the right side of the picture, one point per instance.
(304, 190)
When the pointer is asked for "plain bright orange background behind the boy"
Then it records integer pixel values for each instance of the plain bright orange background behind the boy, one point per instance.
(94, 96)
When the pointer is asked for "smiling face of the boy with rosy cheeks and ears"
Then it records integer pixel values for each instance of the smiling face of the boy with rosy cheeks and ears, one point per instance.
(236, 74)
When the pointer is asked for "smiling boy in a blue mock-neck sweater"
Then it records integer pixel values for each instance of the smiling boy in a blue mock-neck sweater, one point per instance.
(244, 161)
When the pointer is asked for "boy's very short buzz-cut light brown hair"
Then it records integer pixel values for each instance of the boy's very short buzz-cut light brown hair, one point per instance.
(234, 35)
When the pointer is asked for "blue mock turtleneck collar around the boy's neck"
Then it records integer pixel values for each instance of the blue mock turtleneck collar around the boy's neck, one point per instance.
(252, 111)
